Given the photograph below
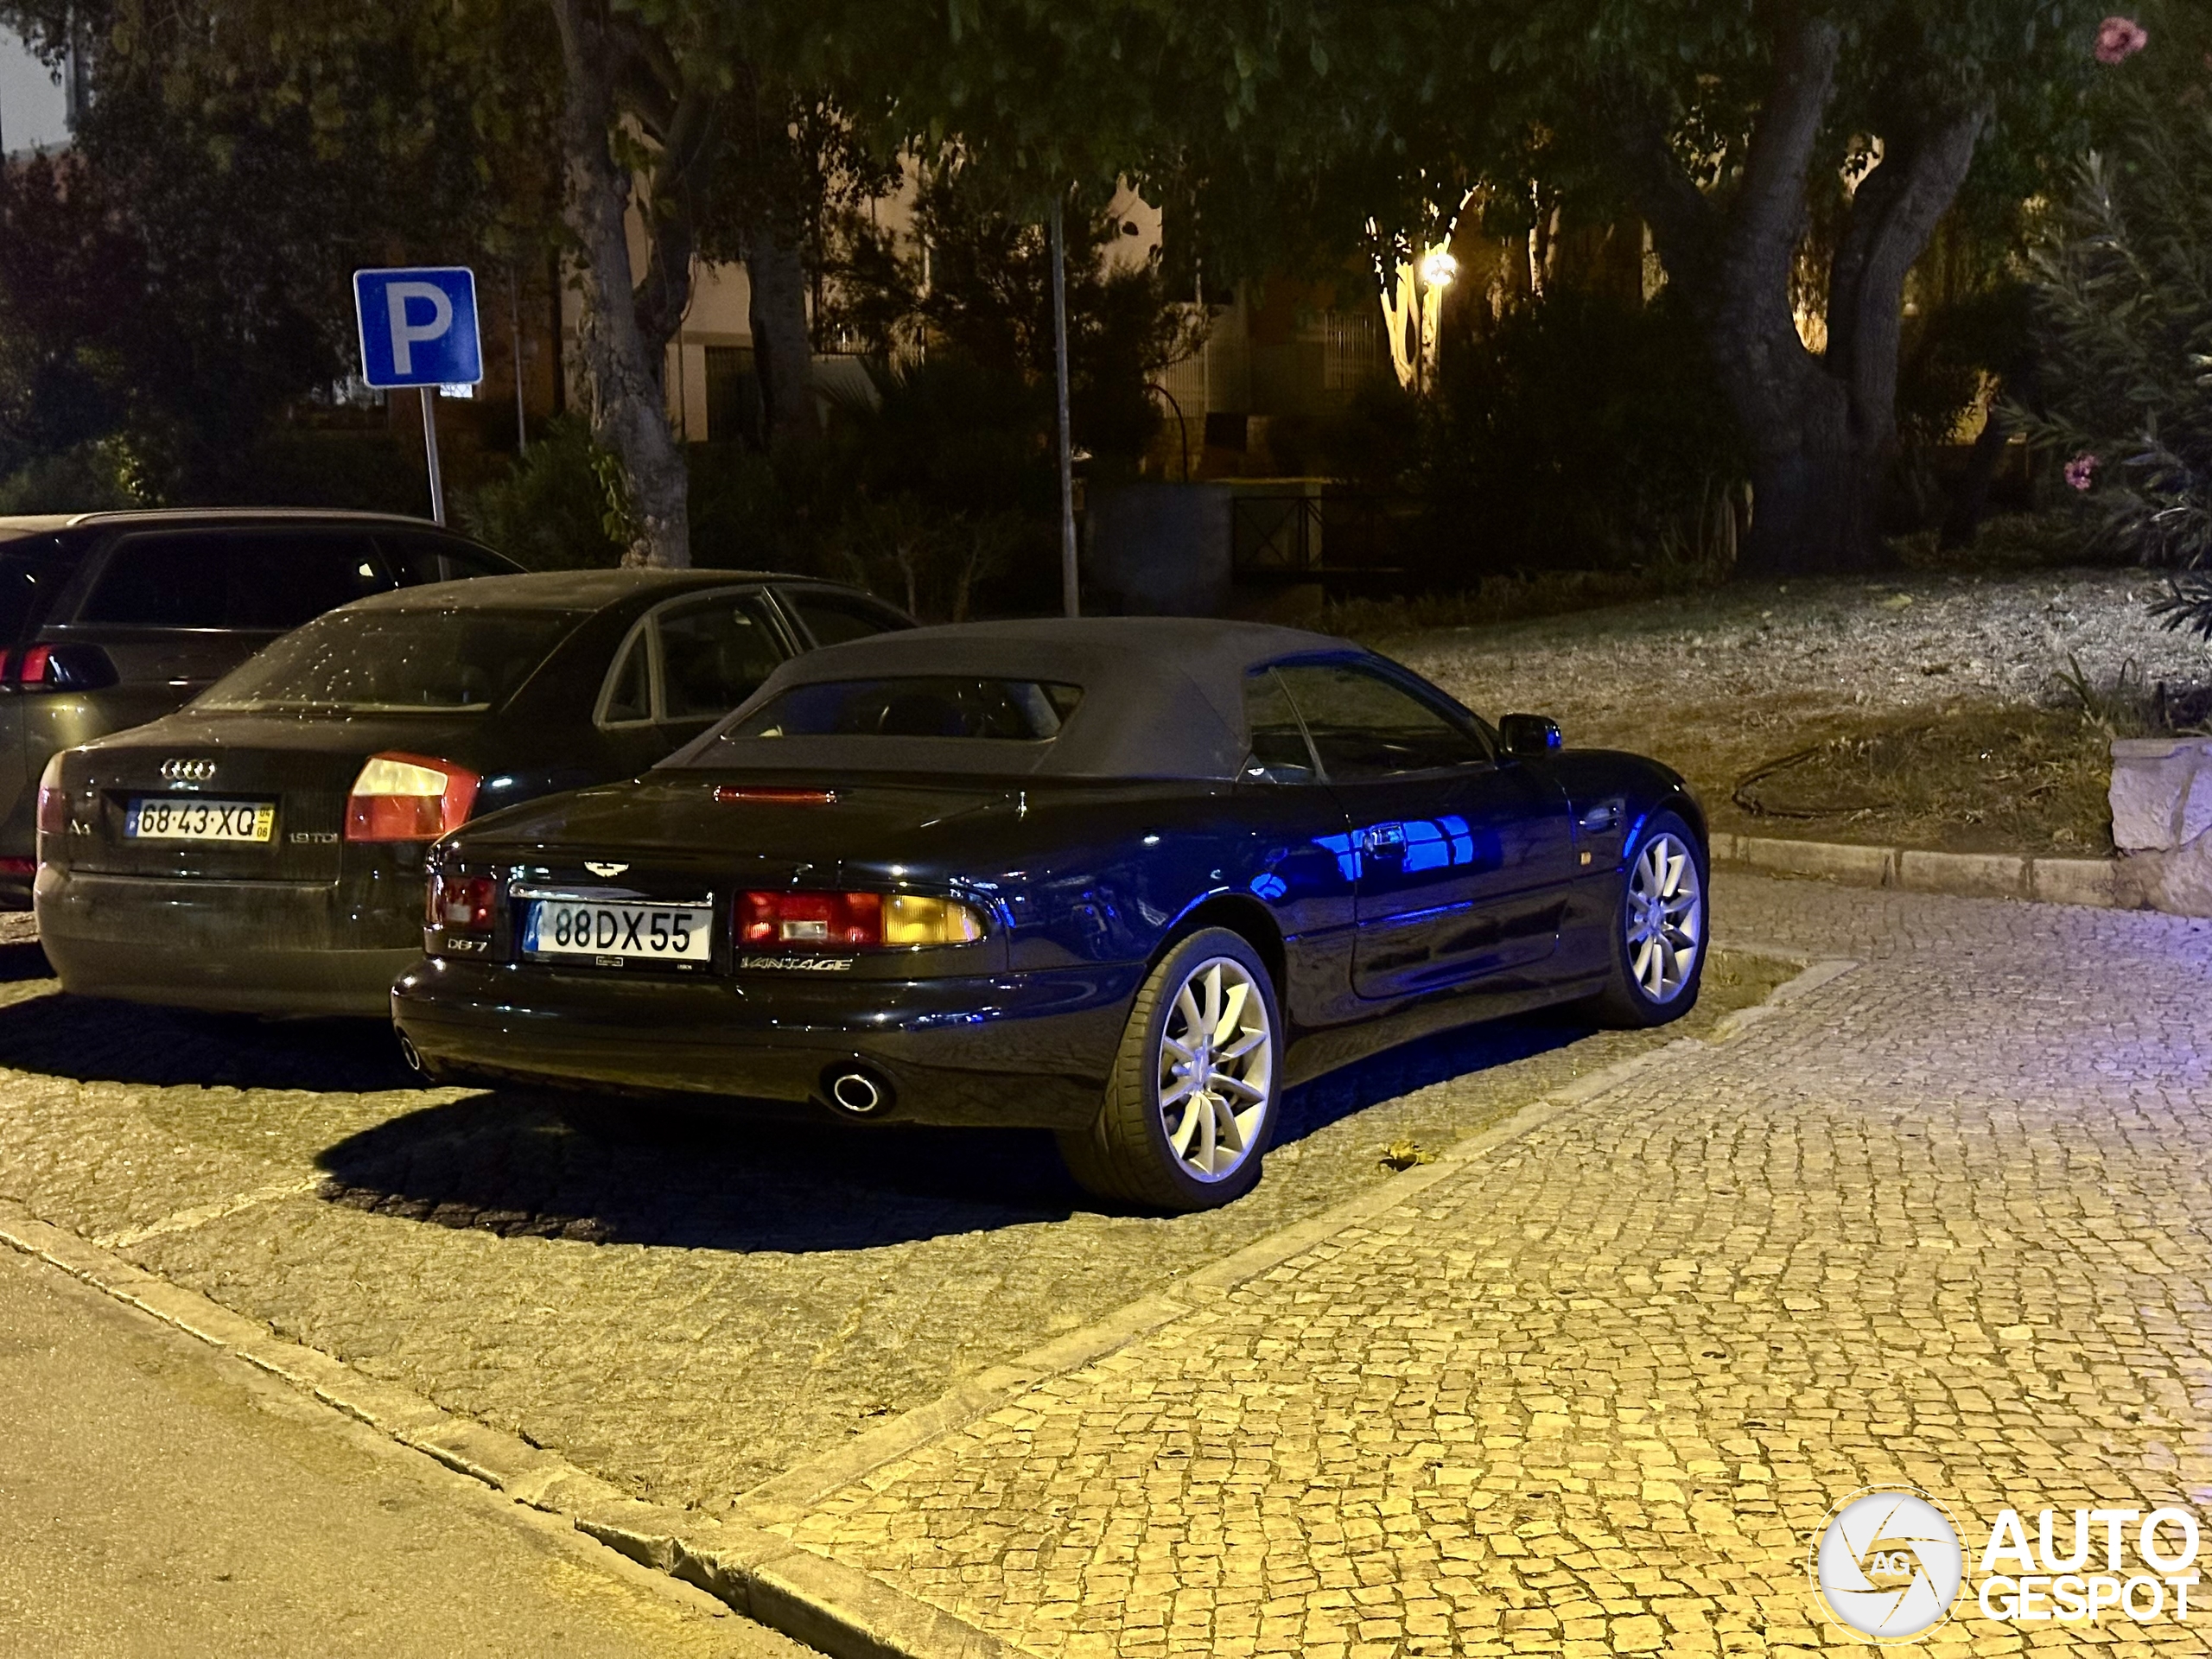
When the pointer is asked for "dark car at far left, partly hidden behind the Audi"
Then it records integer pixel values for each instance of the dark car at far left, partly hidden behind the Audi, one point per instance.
(109, 620)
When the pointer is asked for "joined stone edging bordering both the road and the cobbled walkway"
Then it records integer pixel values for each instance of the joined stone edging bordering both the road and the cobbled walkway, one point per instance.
(822, 1603)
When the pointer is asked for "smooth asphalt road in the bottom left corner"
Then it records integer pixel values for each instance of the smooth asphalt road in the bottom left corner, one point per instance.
(158, 1499)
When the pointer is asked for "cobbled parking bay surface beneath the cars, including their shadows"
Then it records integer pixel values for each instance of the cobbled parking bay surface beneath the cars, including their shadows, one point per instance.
(682, 1313)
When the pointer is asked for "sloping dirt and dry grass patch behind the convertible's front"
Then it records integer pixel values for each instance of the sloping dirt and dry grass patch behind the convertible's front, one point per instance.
(1926, 711)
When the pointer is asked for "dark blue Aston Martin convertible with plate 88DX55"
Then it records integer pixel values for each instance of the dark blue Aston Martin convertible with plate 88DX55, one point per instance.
(1120, 879)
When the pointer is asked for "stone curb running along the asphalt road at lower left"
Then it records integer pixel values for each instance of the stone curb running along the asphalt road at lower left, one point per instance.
(835, 1609)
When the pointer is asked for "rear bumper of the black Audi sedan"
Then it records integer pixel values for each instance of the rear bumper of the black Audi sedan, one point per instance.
(222, 946)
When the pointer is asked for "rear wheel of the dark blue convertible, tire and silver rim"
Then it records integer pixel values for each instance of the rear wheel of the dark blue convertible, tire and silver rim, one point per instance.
(1131, 1151)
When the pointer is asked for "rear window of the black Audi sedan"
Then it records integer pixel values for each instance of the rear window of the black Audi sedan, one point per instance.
(395, 662)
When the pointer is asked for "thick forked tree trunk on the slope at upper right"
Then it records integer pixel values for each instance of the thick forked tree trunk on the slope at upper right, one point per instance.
(1822, 430)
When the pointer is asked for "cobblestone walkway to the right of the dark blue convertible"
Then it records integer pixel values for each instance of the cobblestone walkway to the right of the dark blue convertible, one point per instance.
(1941, 1222)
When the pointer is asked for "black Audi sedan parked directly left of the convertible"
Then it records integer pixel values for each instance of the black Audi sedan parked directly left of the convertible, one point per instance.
(262, 848)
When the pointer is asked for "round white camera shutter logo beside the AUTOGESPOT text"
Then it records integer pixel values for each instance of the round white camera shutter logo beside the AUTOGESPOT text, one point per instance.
(1888, 1565)
